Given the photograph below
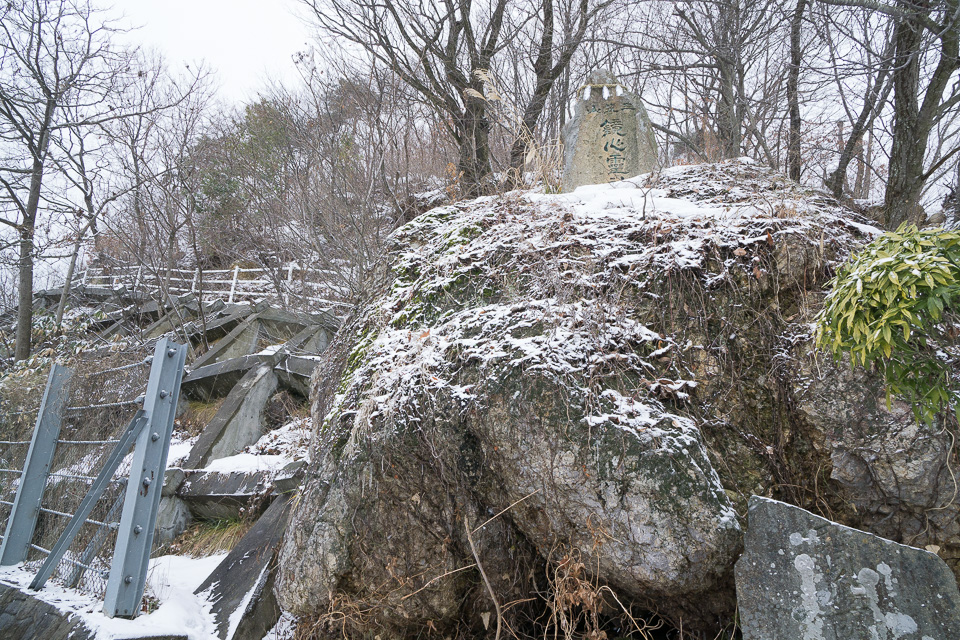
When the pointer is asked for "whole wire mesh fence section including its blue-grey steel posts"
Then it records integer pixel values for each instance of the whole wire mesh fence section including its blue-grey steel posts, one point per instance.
(87, 491)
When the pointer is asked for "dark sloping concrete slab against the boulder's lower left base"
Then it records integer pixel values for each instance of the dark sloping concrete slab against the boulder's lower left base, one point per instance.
(244, 579)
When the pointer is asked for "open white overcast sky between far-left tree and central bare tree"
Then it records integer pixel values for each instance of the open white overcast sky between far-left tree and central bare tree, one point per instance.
(246, 43)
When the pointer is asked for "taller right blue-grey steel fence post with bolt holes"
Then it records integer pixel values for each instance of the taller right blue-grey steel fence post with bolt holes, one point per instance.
(131, 558)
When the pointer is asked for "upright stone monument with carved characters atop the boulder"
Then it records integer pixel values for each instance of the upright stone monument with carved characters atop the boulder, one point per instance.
(610, 137)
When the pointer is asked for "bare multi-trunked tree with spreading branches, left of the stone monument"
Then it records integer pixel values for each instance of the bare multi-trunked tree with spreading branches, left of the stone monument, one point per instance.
(438, 48)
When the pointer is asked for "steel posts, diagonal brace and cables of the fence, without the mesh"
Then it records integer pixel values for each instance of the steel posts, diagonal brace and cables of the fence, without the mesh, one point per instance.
(148, 433)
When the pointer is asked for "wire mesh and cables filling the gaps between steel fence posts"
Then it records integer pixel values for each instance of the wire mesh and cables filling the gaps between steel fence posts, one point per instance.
(105, 392)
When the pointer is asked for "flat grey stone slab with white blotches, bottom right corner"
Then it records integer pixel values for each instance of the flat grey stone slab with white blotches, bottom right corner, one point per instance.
(804, 577)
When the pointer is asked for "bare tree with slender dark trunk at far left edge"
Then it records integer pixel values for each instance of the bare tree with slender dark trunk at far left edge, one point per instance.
(52, 54)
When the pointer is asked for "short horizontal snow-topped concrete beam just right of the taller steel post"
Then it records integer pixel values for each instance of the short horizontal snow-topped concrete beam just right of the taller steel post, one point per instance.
(211, 495)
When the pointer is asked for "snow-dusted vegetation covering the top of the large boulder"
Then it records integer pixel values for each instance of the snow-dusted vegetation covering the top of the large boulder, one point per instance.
(478, 279)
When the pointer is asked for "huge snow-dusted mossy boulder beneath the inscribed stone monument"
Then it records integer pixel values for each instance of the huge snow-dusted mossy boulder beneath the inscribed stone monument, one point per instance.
(561, 403)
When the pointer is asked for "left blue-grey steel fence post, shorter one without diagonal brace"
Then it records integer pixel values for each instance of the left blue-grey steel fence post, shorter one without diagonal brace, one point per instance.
(26, 506)
